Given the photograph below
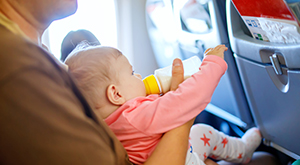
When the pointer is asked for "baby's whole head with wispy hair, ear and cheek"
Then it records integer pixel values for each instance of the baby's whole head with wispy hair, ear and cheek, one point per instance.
(105, 77)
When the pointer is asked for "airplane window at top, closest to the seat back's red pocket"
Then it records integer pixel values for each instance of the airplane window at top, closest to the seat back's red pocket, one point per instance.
(195, 17)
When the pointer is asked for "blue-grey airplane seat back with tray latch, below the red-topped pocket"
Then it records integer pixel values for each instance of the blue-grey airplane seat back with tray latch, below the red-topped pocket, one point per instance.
(270, 74)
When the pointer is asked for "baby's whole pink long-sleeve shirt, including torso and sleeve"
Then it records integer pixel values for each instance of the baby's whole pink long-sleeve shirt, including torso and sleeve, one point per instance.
(140, 123)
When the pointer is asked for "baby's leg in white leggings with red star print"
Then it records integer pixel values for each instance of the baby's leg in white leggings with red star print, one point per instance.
(208, 142)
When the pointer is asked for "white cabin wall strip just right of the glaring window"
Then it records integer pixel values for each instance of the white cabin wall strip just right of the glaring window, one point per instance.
(133, 38)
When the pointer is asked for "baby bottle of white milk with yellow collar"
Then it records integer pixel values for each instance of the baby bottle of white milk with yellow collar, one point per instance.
(160, 81)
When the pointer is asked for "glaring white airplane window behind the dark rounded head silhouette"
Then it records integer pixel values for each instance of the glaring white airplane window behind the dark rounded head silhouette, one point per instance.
(97, 16)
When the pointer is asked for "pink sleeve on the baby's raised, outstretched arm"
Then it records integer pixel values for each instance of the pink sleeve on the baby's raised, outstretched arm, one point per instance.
(177, 107)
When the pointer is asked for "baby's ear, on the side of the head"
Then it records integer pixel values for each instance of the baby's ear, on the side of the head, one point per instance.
(114, 96)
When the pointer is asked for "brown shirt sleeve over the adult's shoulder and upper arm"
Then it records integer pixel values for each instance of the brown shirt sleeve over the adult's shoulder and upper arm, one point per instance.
(45, 118)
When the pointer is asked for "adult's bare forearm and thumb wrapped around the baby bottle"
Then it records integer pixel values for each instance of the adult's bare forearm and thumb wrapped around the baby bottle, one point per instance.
(173, 146)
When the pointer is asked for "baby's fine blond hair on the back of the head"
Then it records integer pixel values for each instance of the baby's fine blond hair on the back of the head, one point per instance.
(91, 66)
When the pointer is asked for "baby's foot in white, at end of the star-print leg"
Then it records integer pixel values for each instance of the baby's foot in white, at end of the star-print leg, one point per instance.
(252, 138)
